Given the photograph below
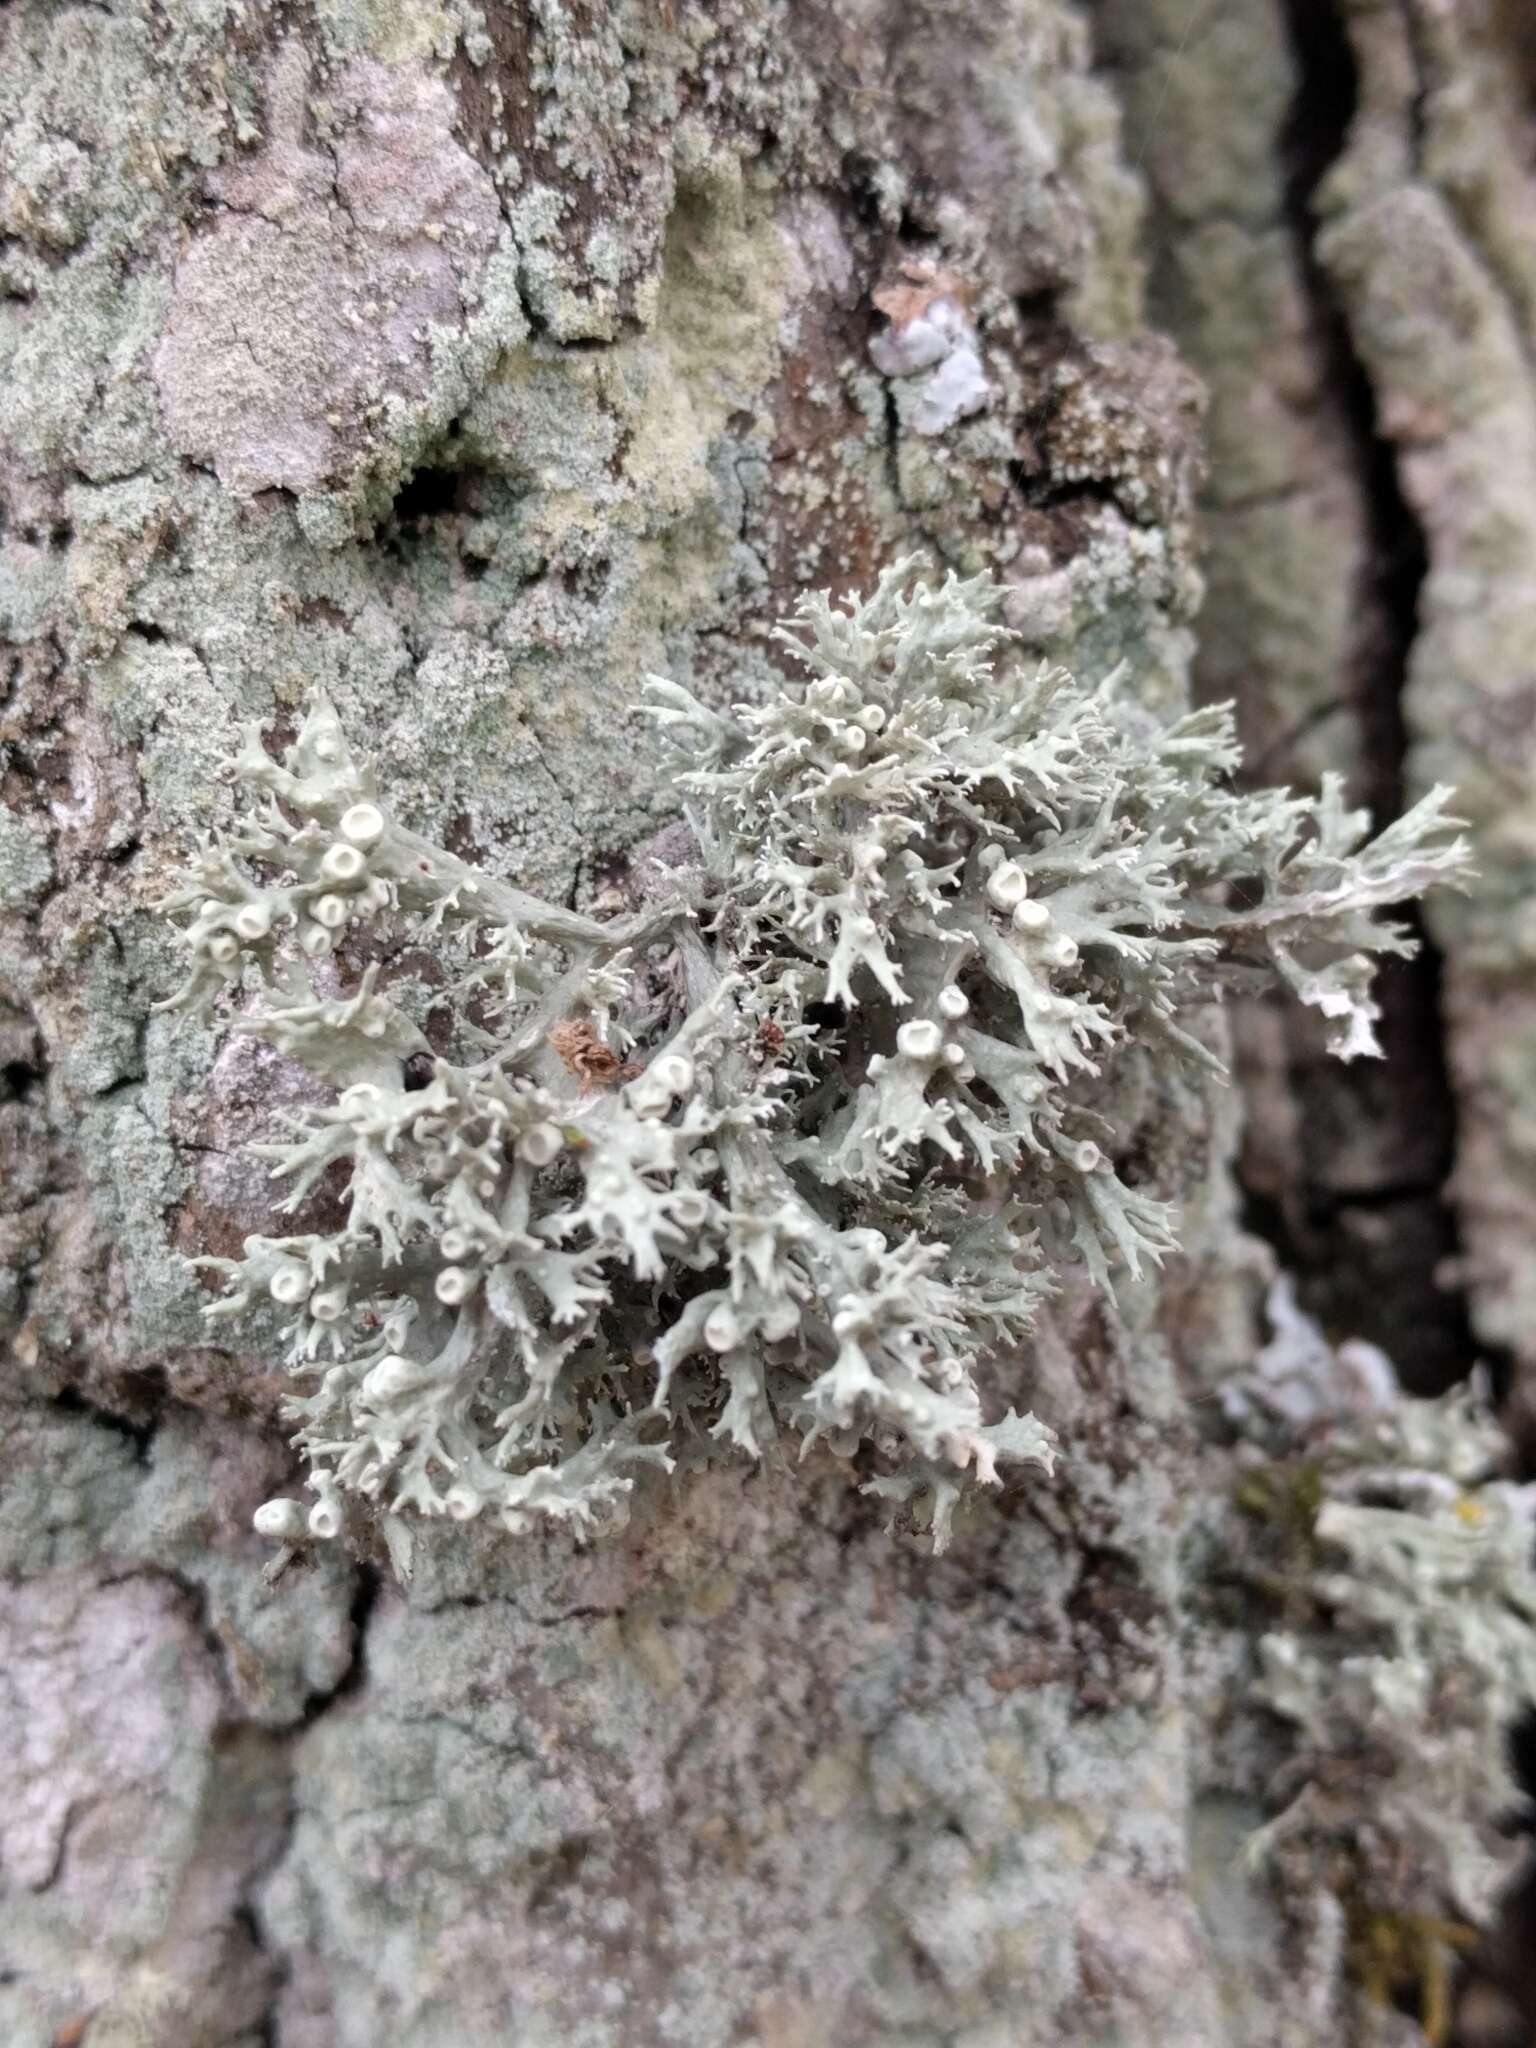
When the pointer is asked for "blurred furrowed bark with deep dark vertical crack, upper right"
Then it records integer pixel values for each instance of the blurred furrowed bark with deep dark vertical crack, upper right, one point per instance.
(1345, 216)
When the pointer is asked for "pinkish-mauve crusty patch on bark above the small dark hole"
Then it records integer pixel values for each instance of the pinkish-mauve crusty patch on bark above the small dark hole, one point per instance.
(310, 302)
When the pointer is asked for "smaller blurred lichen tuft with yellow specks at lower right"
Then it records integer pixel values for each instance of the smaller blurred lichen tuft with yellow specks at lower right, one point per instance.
(1408, 1650)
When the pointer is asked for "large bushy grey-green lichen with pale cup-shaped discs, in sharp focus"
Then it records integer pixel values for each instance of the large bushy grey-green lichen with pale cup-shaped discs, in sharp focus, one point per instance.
(800, 1144)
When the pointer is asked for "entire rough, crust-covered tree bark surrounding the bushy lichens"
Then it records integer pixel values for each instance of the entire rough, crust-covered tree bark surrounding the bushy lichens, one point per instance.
(472, 366)
